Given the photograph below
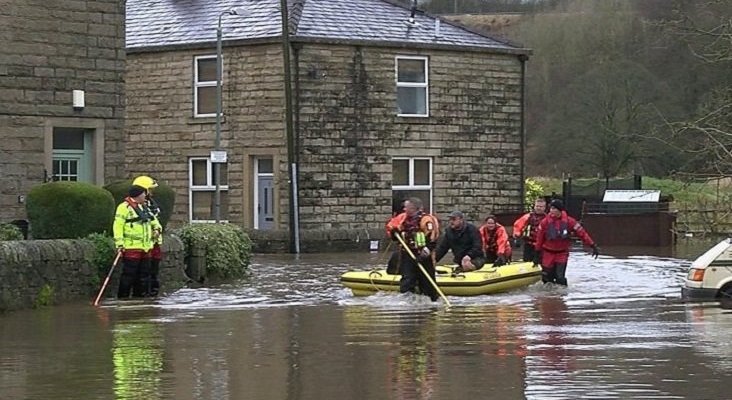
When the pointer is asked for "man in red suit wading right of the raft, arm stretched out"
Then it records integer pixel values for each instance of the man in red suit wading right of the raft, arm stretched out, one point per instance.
(553, 240)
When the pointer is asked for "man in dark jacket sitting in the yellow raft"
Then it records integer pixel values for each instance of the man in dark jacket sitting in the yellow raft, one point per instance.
(463, 239)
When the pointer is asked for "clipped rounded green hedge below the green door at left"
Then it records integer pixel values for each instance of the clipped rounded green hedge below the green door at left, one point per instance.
(69, 210)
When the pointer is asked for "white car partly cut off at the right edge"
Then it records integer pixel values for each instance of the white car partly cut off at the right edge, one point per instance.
(710, 275)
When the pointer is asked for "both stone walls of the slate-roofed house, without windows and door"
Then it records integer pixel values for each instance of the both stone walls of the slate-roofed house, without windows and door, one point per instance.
(347, 128)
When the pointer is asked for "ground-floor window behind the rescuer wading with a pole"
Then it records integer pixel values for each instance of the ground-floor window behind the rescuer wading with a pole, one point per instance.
(411, 177)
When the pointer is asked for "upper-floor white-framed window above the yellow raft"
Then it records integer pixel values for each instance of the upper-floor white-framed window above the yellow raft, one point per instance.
(412, 84)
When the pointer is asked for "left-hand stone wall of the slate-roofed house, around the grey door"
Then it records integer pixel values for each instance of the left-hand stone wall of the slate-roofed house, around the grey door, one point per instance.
(163, 134)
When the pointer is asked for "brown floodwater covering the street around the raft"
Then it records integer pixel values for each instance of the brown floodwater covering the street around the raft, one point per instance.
(291, 331)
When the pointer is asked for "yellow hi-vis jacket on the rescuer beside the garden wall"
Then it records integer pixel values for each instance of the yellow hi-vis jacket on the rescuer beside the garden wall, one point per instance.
(135, 228)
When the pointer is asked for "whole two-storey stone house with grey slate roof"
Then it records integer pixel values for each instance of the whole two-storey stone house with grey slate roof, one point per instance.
(380, 102)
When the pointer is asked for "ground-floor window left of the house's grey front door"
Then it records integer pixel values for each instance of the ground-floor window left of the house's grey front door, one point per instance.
(202, 184)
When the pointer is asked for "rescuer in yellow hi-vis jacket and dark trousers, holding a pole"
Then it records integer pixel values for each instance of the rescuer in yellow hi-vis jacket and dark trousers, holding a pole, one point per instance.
(135, 230)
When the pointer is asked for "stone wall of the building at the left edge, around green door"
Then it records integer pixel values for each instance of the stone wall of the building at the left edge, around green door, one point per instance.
(48, 50)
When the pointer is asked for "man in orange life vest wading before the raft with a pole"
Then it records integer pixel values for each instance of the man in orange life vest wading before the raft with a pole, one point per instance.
(419, 231)
